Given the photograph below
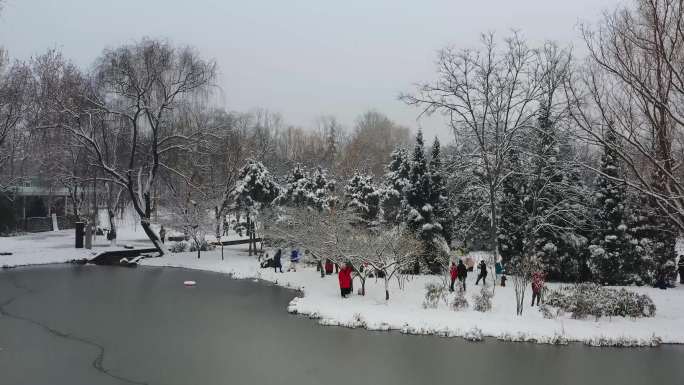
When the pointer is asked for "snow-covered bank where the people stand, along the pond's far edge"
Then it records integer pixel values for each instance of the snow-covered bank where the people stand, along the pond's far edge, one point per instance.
(404, 312)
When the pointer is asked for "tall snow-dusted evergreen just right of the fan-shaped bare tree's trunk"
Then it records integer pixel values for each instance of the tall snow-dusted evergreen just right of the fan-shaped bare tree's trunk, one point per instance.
(541, 210)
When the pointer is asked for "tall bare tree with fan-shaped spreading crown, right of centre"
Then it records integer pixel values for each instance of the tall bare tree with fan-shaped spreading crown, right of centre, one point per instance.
(491, 97)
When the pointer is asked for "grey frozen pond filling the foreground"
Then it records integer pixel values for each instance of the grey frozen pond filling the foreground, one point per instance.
(105, 325)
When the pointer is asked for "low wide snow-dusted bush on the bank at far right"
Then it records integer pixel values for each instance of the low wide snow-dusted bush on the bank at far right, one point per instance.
(587, 299)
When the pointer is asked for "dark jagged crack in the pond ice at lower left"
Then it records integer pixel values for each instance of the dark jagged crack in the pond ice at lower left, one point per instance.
(97, 363)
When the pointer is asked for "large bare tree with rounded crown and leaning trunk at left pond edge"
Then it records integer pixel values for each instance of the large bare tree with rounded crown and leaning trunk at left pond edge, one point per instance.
(137, 88)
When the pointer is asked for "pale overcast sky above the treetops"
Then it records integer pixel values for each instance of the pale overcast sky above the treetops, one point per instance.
(302, 58)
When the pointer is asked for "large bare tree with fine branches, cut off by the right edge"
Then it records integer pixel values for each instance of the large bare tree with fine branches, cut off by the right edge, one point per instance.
(633, 85)
